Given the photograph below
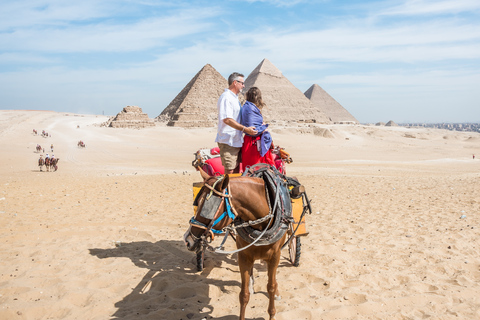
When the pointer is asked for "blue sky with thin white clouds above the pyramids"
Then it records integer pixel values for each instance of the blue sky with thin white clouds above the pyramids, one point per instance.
(405, 60)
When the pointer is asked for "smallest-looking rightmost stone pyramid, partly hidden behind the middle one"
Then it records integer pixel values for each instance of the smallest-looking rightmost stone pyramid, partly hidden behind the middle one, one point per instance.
(324, 102)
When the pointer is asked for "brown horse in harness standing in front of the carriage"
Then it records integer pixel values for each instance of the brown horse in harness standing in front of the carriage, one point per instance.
(248, 199)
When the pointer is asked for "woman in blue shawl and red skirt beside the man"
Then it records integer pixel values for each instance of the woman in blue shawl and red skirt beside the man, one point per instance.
(256, 149)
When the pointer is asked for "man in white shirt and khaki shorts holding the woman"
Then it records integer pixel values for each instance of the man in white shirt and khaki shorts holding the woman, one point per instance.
(230, 131)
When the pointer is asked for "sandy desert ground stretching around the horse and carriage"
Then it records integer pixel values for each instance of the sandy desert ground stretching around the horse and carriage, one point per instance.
(395, 232)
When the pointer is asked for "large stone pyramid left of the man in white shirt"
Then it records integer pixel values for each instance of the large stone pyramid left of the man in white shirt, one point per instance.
(196, 104)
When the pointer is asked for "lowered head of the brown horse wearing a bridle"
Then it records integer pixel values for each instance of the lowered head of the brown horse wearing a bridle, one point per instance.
(209, 201)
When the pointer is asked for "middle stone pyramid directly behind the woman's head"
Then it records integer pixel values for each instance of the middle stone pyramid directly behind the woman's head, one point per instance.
(284, 102)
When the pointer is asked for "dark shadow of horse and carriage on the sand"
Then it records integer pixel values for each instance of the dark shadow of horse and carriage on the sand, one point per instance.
(171, 288)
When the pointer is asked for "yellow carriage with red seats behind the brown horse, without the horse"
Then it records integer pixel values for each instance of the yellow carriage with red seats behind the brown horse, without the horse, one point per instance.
(210, 162)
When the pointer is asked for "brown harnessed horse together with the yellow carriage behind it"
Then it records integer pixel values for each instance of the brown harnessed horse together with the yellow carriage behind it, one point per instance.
(262, 209)
